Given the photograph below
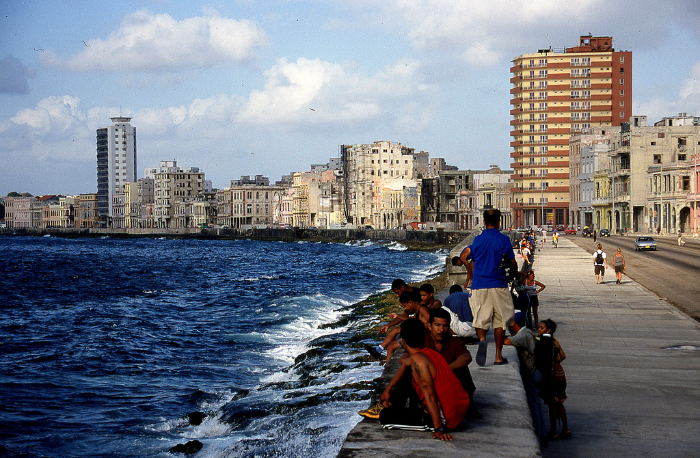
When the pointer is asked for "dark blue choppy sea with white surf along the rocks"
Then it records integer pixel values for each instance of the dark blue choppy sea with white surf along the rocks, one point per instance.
(126, 348)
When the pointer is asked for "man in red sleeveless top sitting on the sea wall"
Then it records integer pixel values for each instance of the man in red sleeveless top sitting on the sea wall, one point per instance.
(437, 398)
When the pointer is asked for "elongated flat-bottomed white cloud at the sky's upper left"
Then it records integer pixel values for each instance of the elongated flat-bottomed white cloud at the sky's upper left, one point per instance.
(158, 42)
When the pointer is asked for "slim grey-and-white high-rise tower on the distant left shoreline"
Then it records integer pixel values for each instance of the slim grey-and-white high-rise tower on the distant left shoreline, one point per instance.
(116, 163)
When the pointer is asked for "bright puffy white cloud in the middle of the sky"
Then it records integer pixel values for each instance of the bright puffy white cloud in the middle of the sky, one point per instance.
(314, 91)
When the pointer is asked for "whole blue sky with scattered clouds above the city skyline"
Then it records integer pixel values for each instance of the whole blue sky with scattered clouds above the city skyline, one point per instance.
(270, 87)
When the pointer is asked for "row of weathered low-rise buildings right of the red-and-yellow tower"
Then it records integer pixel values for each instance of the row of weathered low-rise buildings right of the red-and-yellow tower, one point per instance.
(637, 178)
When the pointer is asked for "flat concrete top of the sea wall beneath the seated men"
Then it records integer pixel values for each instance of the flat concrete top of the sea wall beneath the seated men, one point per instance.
(505, 430)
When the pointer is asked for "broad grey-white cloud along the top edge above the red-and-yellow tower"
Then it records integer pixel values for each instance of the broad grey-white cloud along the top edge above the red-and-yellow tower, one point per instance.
(486, 33)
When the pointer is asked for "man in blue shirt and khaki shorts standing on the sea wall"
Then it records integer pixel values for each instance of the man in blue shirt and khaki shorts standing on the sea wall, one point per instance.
(491, 304)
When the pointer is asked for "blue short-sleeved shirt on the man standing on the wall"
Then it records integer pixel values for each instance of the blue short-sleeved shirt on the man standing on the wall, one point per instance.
(487, 249)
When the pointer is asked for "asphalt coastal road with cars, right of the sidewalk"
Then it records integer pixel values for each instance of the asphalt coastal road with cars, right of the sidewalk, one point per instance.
(671, 272)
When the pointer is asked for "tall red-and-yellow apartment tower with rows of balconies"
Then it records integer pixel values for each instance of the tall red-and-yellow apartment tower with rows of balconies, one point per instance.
(557, 93)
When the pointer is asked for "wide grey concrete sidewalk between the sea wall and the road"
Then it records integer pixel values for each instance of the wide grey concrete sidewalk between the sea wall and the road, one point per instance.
(632, 362)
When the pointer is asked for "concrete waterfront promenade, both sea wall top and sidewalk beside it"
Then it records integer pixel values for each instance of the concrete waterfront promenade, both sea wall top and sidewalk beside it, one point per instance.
(632, 366)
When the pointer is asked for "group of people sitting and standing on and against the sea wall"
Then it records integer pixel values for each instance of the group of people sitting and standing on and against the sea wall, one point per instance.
(433, 389)
